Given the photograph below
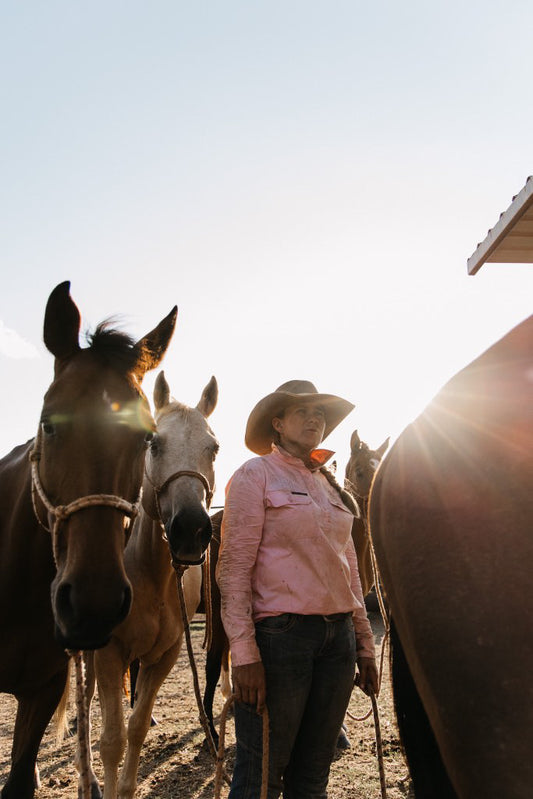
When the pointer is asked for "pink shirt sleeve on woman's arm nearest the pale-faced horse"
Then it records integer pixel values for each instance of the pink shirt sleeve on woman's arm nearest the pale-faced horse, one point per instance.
(241, 533)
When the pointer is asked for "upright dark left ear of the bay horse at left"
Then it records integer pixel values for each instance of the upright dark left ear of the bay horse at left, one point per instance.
(61, 323)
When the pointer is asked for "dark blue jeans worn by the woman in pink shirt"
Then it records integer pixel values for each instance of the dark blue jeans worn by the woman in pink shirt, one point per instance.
(309, 666)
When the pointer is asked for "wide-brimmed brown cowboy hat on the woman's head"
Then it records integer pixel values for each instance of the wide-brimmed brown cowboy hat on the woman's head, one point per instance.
(259, 431)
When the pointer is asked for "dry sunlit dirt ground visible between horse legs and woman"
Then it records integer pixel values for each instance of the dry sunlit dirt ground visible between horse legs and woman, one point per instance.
(176, 763)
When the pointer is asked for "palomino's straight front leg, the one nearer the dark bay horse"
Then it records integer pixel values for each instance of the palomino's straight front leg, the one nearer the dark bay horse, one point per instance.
(110, 670)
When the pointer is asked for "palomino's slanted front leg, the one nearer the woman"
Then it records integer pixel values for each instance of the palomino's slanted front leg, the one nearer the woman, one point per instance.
(149, 682)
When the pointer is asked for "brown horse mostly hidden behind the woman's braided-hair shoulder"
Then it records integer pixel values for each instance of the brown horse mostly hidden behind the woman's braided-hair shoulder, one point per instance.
(359, 474)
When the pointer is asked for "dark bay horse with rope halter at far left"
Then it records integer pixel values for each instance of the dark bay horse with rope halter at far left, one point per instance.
(66, 499)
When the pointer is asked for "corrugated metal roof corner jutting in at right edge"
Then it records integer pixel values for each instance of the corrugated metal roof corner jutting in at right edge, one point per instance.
(510, 241)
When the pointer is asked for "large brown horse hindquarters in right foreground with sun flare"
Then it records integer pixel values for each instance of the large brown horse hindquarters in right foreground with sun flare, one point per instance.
(451, 512)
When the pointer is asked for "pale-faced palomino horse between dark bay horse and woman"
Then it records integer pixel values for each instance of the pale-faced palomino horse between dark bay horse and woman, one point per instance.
(178, 486)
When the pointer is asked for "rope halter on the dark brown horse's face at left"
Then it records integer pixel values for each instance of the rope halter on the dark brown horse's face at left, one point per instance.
(62, 512)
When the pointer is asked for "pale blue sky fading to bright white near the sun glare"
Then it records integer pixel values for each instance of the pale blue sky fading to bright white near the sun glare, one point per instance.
(305, 180)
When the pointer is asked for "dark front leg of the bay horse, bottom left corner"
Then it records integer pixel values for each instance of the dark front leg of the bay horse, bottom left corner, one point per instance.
(33, 715)
